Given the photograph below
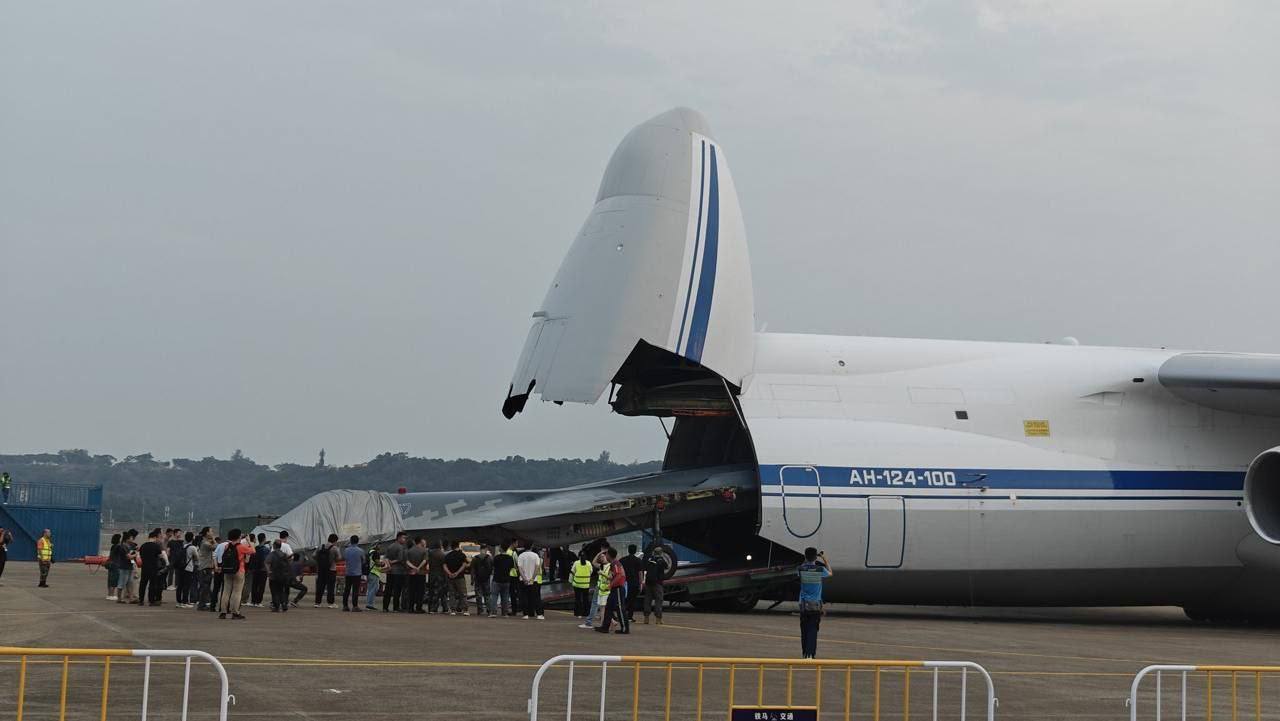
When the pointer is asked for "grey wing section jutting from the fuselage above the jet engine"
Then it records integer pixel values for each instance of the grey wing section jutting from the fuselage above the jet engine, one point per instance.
(1242, 384)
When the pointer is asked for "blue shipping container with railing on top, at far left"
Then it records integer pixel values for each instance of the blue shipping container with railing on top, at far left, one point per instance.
(71, 513)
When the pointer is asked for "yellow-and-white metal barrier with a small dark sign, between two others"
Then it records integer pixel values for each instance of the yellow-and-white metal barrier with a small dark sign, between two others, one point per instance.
(688, 687)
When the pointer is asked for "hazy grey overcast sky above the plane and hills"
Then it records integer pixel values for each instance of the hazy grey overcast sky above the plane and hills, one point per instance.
(289, 226)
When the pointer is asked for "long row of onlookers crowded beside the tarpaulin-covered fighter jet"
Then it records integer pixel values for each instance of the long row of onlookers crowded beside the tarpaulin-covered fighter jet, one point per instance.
(208, 573)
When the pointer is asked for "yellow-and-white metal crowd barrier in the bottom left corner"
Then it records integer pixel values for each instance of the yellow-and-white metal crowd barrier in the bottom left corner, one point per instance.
(63, 658)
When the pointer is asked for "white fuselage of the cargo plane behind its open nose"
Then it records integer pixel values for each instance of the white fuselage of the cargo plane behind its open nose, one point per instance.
(943, 472)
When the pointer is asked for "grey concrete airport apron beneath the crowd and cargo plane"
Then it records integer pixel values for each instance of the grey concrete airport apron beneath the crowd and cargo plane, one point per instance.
(322, 664)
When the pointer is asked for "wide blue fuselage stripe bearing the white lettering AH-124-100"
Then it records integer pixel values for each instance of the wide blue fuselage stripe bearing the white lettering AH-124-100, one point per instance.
(1018, 480)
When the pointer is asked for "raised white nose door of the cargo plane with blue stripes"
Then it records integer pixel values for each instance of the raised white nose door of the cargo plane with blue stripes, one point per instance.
(661, 261)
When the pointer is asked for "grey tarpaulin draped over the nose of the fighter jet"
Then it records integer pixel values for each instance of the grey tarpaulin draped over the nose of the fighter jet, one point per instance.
(372, 515)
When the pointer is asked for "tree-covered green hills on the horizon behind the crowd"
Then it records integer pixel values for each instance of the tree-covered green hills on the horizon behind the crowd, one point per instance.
(216, 489)
